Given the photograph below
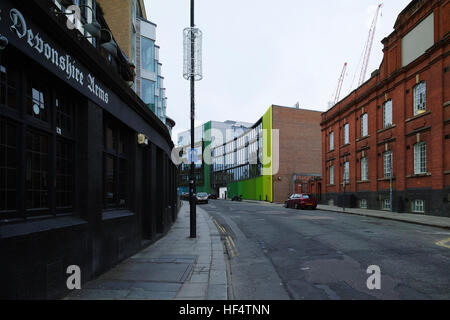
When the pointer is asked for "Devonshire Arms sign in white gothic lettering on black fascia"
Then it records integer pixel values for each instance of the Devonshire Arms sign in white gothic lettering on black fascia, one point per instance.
(24, 35)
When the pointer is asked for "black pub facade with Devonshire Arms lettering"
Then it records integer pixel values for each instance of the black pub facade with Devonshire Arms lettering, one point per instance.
(86, 177)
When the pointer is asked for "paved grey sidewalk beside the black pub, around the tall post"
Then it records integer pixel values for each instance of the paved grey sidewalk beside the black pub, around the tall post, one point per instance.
(175, 267)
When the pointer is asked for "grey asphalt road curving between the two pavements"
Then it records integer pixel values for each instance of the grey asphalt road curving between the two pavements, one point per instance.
(281, 254)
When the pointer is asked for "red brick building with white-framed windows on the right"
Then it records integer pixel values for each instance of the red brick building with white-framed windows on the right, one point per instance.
(396, 126)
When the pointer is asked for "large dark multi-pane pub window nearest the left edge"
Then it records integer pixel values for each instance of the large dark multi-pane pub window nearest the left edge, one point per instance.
(37, 168)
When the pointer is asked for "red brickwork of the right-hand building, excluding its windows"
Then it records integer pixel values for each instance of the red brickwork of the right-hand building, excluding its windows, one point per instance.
(432, 127)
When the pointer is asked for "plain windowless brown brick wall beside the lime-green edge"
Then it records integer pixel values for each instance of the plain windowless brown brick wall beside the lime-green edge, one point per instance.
(300, 147)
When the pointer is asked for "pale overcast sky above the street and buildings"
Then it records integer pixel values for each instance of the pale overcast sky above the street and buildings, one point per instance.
(258, 53)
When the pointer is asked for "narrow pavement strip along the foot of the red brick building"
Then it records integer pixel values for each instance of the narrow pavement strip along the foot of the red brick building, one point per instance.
(441, 222)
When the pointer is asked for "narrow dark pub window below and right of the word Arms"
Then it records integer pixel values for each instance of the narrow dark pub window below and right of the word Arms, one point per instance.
(115, 166)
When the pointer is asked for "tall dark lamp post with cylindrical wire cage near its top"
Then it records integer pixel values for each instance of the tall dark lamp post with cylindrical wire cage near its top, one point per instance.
(192, 71)
